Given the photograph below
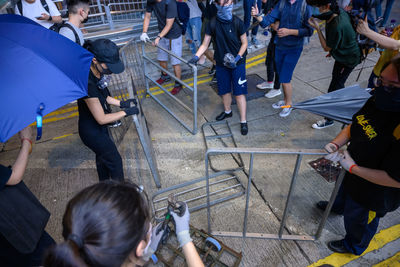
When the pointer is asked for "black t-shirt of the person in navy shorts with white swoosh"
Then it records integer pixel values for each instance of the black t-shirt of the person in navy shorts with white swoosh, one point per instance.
(228, 40)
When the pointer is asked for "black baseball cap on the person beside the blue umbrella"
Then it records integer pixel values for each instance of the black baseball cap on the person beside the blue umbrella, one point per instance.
(106, 51)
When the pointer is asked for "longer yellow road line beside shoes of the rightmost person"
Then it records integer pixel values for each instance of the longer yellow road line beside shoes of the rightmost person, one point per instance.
(380, 239)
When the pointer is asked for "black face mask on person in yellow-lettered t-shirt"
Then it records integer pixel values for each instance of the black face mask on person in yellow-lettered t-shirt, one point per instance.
(387, 99)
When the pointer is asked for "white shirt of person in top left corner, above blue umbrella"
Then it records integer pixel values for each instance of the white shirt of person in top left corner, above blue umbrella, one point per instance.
(31, 11)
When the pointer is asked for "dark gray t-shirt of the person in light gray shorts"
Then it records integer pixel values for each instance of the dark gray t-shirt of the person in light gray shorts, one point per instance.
(162, 13)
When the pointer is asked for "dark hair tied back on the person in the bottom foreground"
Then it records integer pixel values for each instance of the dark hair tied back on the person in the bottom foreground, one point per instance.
(102, 225)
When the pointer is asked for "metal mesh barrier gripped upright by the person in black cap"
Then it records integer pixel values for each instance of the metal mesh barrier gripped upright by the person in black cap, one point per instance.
(124, 86)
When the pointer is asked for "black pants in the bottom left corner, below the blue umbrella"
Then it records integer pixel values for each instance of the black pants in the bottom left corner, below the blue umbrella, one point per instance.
(11, 257)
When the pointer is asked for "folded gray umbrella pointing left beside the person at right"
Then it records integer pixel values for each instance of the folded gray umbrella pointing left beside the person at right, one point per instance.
(339, 105)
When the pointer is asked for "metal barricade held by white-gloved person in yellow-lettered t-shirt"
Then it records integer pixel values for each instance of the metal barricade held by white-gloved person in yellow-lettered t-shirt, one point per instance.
(252, 152)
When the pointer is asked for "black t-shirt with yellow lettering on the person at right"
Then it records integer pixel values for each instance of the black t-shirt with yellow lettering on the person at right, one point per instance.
(375, 144)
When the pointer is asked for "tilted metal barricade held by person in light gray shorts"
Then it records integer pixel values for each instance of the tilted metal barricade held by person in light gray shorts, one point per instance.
(192, 89)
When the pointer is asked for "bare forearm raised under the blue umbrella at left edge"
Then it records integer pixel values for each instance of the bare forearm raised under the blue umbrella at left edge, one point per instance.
(18, 169)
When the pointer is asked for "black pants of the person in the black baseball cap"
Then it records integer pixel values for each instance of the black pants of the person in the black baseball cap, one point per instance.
(108, 159)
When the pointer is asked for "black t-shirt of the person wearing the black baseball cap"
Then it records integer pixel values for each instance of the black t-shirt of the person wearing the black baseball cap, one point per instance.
(85, 115)
